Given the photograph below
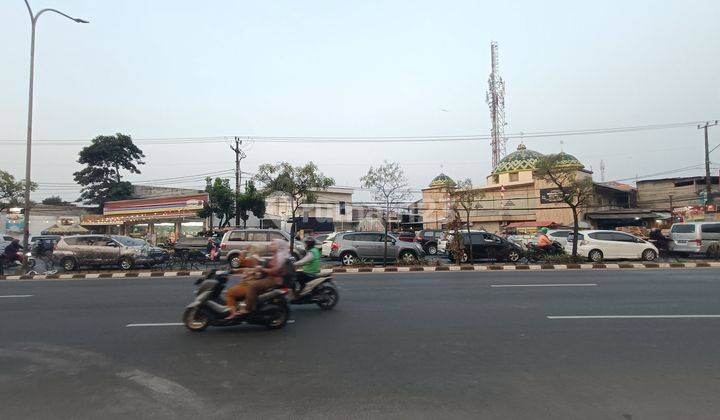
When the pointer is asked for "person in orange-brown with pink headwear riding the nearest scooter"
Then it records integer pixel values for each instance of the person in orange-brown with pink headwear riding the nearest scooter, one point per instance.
(251, 288)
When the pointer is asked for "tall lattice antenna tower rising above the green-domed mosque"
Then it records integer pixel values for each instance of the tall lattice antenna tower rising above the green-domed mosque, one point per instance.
(495, 99)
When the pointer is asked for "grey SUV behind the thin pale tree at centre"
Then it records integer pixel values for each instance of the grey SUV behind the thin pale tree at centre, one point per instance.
(349, 247)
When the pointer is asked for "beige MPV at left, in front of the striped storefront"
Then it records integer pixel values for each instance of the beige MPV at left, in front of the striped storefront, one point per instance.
(96, 250)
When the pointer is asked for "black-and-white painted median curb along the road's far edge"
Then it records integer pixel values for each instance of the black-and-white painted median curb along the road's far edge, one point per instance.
(364, 270)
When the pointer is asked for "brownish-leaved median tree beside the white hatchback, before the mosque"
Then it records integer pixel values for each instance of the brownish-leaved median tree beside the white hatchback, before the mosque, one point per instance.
(573, 191)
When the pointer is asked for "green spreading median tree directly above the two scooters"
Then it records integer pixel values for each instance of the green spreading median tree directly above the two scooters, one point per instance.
(299, 183)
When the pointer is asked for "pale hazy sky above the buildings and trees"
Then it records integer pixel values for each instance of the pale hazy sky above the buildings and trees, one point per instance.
(188, 69)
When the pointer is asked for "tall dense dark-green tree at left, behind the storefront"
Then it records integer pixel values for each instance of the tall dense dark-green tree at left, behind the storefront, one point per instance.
(101, 179)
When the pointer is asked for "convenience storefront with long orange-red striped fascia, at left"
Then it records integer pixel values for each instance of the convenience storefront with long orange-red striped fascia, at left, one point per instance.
(158, 220)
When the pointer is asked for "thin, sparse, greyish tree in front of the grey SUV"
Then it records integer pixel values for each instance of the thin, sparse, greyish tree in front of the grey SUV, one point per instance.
(389, 187)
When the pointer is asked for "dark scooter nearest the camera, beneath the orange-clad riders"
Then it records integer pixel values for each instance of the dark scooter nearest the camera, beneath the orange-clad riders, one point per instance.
(210, 309)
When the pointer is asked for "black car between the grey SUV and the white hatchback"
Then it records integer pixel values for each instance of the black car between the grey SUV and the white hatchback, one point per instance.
(486, 246)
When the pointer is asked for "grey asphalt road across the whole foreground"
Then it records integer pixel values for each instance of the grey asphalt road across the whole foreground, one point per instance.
(406, 345)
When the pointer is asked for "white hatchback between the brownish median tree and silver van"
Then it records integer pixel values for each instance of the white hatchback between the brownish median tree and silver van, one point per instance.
(596, 245)
